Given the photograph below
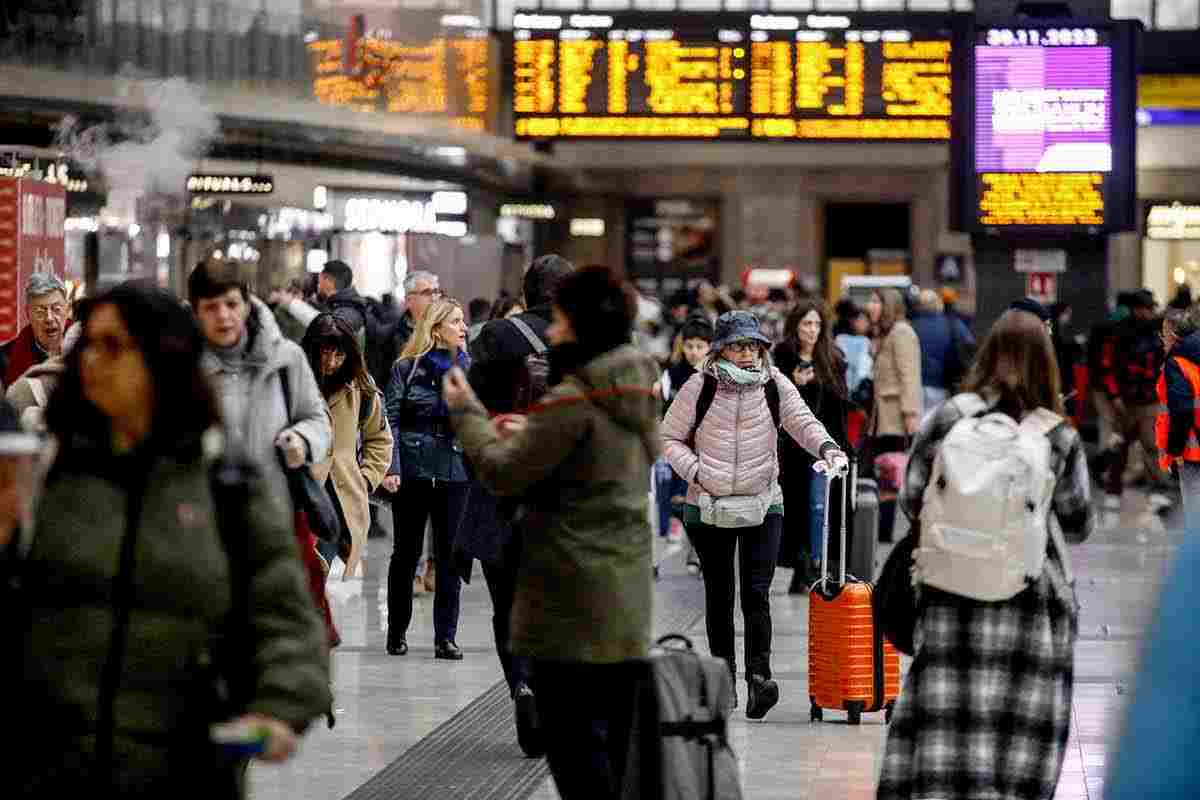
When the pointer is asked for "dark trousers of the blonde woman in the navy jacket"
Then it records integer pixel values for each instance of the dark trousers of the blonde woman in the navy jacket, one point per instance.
(412, 507)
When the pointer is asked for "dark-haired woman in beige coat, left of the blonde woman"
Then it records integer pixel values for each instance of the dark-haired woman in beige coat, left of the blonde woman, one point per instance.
(363, 444)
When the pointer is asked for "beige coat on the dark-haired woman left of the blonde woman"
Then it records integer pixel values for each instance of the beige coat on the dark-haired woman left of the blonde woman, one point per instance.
(353, 483)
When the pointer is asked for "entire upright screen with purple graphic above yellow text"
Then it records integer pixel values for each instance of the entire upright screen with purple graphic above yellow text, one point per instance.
(1049, 146)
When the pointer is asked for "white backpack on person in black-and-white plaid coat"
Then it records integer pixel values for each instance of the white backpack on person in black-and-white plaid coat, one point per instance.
(986, 520)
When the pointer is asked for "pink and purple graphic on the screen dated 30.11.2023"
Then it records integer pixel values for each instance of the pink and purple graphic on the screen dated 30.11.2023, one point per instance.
(1043, 110)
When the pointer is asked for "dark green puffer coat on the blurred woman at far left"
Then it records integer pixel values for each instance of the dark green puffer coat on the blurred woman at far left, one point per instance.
(182, 594)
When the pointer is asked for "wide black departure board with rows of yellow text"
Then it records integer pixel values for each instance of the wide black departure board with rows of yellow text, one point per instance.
(817, 77)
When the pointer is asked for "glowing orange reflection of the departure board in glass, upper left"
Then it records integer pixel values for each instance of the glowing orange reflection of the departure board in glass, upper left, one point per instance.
(448, 75)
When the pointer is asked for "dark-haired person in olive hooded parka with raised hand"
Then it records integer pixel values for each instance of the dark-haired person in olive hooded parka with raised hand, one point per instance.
(584, 591)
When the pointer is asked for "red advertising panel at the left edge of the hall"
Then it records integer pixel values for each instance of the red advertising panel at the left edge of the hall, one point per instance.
(32, 221)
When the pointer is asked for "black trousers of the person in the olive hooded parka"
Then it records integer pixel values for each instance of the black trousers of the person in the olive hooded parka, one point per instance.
(586, 713)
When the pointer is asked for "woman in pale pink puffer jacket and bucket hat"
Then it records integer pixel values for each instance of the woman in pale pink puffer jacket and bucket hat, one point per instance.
(735, 504)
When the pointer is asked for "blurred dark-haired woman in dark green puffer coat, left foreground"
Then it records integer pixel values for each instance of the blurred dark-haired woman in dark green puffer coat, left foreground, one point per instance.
(160, 592)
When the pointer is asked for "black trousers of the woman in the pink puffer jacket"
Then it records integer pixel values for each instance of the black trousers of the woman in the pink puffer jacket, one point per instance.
(757, 550)
